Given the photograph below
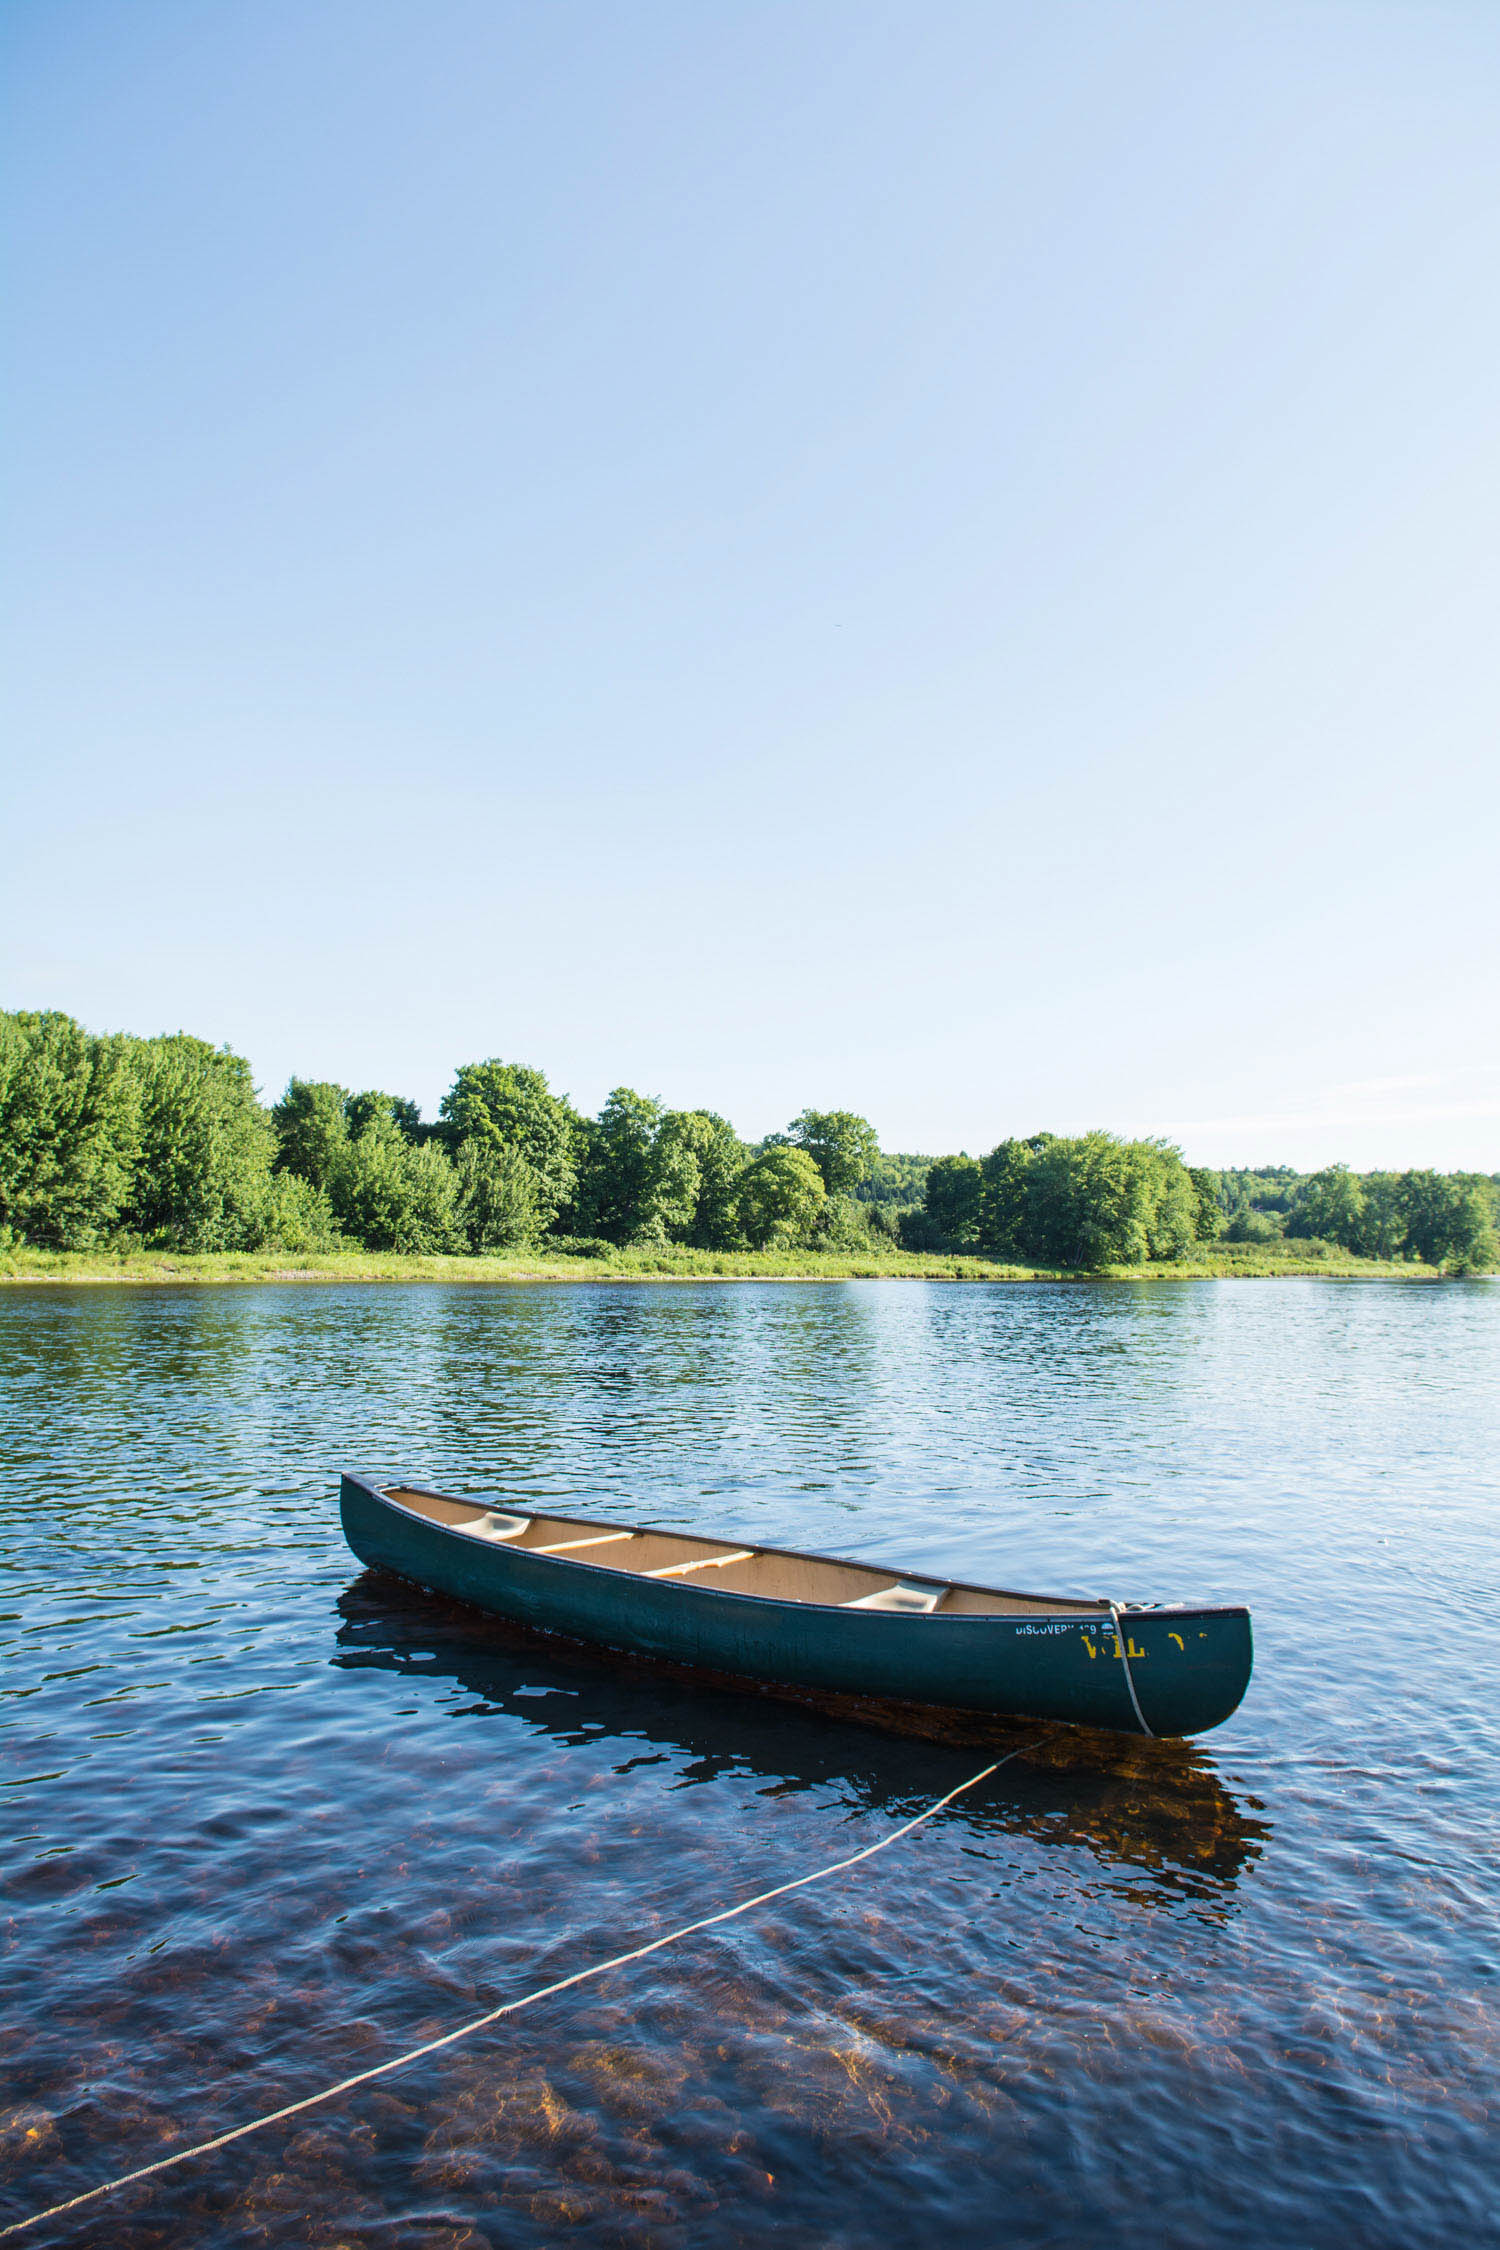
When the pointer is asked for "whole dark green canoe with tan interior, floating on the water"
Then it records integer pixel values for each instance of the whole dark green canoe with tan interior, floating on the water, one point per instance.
(813, 1621)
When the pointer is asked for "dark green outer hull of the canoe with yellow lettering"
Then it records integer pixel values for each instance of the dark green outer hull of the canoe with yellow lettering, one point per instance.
(1189, 1666)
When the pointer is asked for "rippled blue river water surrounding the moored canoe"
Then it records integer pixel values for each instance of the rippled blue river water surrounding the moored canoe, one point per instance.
(273, 1819)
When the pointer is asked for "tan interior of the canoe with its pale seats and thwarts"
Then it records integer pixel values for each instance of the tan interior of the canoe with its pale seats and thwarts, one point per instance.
(678, 1558)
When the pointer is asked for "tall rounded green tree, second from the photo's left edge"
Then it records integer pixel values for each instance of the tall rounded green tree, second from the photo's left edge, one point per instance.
(206, 1146)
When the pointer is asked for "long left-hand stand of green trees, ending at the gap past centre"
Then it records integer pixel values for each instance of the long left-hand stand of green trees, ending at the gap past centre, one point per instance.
(163, 1144)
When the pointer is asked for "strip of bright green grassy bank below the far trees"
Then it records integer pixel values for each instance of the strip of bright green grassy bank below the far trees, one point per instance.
(1256, 1261)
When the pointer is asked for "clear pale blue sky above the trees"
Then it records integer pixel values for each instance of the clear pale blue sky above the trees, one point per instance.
(928, 559)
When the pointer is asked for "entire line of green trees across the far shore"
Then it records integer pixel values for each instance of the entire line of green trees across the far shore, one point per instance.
(163, 1144)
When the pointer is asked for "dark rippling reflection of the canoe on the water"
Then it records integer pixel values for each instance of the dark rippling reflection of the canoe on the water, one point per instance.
(1150, 1806)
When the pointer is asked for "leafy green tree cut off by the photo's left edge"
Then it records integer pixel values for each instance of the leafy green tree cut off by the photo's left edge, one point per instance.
(69, 1131)
